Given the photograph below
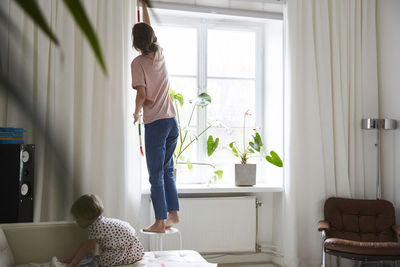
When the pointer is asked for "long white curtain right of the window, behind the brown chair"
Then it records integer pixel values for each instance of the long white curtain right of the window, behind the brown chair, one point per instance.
(331, 84)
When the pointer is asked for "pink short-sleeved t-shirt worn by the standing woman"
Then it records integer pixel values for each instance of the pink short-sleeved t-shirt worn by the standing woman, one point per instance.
(153, 75)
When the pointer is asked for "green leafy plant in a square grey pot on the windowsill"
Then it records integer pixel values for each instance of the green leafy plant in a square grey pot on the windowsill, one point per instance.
(245, 173)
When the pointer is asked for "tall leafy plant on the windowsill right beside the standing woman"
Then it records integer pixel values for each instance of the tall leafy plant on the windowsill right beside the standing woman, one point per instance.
(186, 138)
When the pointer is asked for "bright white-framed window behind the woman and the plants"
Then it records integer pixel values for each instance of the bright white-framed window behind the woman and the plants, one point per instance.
(238, 62)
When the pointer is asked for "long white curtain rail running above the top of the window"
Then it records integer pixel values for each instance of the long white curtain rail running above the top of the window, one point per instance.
(218, 10)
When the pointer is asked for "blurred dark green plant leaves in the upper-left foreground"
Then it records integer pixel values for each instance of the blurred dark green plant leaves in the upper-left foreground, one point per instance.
(17, 91)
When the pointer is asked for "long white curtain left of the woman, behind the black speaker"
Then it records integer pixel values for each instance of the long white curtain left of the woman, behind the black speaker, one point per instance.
(84, 110)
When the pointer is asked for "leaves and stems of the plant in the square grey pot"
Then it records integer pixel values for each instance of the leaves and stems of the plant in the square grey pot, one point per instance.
(253, 148)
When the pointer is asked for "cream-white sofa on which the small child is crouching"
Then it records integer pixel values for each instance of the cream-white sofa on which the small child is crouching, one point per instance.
(38, 242)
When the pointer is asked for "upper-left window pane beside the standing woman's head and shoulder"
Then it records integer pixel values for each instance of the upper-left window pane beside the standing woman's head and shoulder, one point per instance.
(179, 48)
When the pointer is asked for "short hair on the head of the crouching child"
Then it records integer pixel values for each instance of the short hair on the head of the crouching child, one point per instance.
(88, 207)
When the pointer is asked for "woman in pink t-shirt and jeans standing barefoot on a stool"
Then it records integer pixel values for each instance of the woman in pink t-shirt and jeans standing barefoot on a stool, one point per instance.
(150, 79)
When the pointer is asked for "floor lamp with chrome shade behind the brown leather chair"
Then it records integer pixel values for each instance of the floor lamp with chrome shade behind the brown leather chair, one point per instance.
(378, 124)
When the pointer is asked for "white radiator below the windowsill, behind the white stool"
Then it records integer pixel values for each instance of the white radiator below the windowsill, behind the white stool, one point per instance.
(214, 225)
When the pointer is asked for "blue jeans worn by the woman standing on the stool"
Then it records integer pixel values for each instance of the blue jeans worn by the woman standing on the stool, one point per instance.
(161, 137)
